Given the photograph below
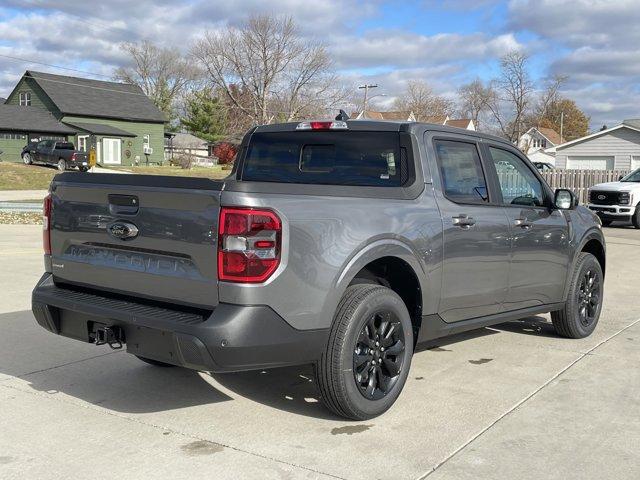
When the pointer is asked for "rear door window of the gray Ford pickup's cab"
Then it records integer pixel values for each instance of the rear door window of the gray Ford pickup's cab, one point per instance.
(462, 176)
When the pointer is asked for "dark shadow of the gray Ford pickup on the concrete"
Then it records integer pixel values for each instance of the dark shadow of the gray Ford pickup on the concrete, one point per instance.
(117, 381)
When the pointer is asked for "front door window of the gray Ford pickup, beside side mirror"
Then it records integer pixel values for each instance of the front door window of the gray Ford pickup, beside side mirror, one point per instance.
(518, 184)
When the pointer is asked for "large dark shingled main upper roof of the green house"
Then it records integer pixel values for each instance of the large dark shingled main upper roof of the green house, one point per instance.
(97, 98)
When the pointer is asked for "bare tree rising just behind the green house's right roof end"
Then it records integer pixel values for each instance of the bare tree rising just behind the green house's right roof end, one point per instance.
(163, 74)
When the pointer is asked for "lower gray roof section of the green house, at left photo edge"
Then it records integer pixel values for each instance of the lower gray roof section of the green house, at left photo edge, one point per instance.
(31, 119)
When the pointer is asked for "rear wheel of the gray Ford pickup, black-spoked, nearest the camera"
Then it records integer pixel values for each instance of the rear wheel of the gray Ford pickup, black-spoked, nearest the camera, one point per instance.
(344, 380)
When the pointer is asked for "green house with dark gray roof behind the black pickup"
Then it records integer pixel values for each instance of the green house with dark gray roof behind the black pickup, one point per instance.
(116, 119)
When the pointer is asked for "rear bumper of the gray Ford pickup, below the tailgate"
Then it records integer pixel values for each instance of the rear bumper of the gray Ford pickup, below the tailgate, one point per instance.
(230, 338)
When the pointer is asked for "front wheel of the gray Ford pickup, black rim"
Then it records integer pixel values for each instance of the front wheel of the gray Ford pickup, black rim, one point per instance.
(572, 321)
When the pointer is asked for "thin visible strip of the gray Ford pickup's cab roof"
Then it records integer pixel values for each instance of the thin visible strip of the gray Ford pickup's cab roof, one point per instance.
(387, 126)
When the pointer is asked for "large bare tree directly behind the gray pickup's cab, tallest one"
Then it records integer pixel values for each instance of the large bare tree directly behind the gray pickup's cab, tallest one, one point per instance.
(280, 75)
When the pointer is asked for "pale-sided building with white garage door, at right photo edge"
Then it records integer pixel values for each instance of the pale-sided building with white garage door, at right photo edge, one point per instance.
(616, 148)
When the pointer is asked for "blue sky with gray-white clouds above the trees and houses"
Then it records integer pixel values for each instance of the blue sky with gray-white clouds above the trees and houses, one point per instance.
(444, 42)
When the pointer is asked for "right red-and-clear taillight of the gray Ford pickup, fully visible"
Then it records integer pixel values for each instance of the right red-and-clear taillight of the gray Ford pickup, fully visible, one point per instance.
(249, 243)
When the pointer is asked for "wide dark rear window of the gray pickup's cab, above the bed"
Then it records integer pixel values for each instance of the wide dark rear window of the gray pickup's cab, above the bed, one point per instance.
(372, 159)
